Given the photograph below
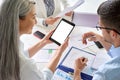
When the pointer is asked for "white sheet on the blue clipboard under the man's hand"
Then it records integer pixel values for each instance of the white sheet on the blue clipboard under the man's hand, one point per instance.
(76, 53)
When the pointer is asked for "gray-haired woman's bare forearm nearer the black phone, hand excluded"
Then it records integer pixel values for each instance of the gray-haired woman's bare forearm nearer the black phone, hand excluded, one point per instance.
(34, 49)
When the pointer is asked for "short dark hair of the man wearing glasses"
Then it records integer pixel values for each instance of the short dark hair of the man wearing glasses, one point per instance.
(109, 12)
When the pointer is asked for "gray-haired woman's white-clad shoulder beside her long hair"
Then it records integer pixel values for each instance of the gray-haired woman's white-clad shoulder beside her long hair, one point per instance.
(29, 70)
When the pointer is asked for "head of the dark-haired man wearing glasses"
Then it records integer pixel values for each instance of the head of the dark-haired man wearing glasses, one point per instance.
(109, 13)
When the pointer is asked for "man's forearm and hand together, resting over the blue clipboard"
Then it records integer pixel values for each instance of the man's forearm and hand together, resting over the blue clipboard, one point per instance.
(80, 63)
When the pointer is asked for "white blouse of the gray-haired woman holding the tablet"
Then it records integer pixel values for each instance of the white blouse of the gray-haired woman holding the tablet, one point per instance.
(29, 70)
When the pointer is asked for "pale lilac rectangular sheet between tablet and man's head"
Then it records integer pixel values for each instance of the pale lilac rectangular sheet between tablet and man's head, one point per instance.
(85, 19)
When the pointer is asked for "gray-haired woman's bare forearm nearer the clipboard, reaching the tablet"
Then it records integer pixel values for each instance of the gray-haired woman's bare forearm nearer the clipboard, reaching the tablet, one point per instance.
(55, 59)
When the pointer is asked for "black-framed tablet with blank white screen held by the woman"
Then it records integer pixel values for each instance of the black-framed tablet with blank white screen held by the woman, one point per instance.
(62, 31)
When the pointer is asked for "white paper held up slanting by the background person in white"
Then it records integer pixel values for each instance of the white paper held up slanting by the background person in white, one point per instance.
(77, 4)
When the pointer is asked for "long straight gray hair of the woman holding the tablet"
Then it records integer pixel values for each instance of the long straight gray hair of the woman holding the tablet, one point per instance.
(10, 12)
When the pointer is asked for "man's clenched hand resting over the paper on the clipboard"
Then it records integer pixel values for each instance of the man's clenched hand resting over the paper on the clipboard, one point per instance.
(80, 63)
